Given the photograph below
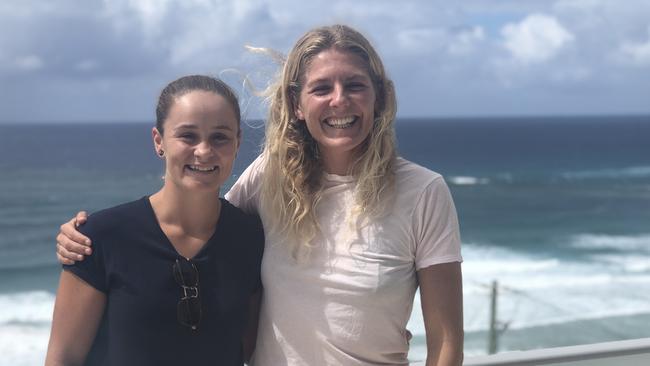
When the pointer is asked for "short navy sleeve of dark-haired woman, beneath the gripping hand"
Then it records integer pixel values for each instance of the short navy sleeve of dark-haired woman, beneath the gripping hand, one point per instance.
(92, 269)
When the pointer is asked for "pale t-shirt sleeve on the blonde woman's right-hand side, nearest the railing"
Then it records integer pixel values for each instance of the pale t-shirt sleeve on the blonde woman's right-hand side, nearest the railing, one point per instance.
(436, 227)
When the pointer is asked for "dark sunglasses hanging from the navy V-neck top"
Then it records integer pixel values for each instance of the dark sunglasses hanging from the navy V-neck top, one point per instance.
(189, 307)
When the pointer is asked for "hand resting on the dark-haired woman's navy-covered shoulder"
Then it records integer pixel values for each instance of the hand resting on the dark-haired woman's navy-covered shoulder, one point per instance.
(71, 245)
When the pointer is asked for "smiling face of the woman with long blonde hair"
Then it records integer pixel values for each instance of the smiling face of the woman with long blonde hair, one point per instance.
(337, 102)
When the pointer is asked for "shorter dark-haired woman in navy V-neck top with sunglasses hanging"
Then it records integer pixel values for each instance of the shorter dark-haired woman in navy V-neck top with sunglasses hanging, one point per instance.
(172, 275)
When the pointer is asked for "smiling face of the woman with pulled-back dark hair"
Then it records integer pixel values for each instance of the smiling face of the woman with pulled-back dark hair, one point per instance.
(200, 141)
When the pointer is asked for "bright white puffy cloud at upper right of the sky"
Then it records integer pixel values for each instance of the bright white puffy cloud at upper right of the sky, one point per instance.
(536, 39)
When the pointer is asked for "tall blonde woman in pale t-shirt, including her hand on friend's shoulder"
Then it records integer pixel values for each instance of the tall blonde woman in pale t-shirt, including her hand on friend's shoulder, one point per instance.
(351, 229)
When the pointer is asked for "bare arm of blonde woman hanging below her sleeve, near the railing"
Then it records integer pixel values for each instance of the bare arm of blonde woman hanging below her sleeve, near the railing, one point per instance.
(441, 292)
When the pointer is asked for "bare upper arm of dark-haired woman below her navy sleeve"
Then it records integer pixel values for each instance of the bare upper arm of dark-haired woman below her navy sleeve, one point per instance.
(77, 312)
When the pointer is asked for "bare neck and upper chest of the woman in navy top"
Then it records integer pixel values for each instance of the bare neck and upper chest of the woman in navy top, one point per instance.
(193, 212)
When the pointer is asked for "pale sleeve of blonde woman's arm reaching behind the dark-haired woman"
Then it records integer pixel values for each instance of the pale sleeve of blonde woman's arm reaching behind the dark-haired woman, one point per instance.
(245, 192)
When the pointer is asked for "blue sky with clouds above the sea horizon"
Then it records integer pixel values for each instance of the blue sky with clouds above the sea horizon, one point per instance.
(106, 60)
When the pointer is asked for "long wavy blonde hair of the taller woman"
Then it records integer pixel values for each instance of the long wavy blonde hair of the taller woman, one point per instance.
(291, 187)
